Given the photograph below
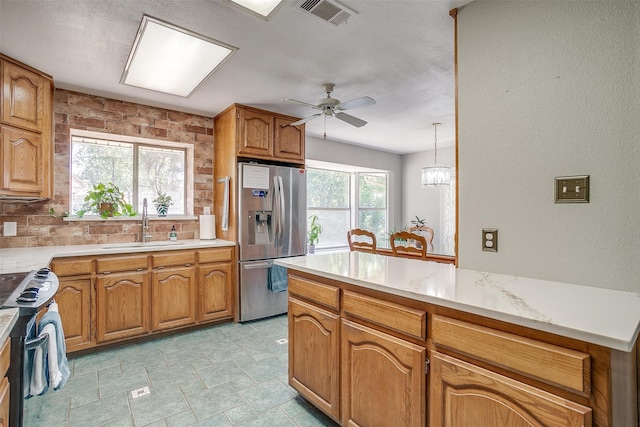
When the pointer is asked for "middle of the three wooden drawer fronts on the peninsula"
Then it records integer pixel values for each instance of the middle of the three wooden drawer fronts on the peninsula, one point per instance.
(393, 316)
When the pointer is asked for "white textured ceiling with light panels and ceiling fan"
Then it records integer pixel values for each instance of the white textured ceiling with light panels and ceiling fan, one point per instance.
(398, 52)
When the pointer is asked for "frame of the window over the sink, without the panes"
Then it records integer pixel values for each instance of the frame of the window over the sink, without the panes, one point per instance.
(189, 177)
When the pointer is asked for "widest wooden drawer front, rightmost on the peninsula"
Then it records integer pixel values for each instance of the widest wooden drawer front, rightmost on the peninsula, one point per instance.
(547, 362)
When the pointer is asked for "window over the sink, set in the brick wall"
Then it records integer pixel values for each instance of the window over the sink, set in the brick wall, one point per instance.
(140, 167)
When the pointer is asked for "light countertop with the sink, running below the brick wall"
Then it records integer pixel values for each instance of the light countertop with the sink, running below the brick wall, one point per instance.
(15, 260)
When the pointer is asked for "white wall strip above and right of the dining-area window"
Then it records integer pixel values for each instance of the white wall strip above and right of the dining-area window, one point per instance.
(336, 152)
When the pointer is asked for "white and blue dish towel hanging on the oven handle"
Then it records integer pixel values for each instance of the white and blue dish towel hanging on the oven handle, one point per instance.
(57, 364)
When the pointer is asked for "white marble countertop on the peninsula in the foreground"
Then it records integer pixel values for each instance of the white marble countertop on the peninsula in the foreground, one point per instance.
(600, 316)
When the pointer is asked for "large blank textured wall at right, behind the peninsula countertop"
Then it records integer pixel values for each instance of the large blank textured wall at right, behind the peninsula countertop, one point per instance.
(550, 90)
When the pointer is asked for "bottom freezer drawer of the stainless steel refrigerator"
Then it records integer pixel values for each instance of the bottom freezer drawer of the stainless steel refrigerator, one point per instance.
(255, 299)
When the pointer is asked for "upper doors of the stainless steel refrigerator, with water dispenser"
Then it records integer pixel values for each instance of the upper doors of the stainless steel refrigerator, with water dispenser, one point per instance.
(272, 203)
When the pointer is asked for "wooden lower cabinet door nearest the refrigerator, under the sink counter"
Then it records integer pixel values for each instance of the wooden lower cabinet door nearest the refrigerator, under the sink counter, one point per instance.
(215, 291)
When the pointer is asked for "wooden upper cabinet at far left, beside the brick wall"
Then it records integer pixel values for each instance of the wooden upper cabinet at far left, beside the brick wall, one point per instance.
(26, 131)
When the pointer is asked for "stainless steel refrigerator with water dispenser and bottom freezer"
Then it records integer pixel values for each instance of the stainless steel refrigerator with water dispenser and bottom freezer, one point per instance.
(272, 206)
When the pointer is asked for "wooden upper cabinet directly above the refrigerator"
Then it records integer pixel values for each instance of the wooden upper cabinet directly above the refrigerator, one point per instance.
(259, 134)
